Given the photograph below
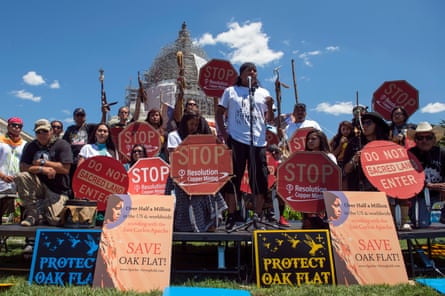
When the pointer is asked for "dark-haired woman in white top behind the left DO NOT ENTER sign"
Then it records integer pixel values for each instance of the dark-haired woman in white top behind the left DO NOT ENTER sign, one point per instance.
(101, 144)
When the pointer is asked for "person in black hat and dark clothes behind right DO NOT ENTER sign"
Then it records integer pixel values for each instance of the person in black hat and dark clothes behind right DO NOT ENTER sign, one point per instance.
(374, 127)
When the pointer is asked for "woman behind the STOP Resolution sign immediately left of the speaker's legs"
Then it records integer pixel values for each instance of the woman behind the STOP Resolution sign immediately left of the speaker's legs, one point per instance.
(195, 213)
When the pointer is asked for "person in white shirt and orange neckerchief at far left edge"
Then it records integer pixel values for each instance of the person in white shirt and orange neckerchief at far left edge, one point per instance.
(11, 148)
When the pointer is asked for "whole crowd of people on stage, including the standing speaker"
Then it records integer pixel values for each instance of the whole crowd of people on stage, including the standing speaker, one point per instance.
(40, 172)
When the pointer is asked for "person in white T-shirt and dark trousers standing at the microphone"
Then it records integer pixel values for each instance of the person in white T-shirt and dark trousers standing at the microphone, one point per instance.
(247, 105)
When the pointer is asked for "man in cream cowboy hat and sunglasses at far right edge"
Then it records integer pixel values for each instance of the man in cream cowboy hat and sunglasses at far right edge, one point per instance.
(432, 158)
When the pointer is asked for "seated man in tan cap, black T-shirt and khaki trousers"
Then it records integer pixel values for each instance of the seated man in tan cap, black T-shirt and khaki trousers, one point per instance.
(43, 182)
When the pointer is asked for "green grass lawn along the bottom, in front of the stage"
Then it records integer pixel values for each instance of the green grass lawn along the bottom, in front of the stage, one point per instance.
(20, 286)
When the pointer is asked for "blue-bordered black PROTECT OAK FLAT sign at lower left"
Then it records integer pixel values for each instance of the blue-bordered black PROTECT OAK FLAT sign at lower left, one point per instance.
(64, 257)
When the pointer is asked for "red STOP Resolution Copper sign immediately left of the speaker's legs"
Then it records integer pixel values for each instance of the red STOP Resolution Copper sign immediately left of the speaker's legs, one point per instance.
(201, 166)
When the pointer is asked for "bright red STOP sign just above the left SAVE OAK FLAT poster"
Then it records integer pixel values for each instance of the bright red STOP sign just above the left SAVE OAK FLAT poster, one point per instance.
(148, 176)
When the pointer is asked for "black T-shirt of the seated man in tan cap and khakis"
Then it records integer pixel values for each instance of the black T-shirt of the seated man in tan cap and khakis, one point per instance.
(58, 151)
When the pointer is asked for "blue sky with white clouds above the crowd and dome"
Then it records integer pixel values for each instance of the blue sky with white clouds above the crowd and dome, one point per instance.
(51, 51)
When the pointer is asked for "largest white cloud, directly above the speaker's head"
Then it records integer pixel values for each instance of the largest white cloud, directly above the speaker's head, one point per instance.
(247, 43)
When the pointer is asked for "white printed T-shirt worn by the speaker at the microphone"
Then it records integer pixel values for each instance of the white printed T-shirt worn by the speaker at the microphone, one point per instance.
(236, 101)
